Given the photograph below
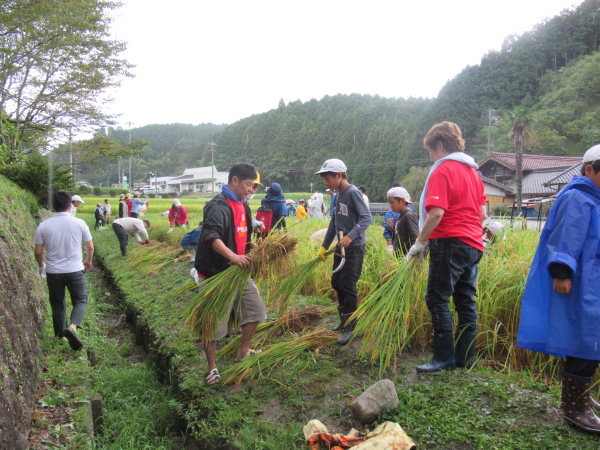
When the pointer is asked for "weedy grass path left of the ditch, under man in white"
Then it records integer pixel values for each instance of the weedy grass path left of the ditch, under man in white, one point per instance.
(139, 411)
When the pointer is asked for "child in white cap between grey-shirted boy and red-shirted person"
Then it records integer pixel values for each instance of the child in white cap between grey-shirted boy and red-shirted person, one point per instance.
(406, 230)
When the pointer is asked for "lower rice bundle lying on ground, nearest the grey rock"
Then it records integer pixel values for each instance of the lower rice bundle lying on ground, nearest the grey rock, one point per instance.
(277, 355)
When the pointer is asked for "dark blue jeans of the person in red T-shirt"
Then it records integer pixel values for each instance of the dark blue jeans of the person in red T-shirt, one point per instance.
(452, 273)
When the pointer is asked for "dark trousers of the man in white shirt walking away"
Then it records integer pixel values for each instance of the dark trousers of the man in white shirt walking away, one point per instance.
(76, 283)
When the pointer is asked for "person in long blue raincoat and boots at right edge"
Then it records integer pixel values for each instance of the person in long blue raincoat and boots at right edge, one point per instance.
(560, 314)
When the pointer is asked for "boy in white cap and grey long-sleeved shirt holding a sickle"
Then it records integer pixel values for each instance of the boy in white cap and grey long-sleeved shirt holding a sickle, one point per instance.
(352, 217)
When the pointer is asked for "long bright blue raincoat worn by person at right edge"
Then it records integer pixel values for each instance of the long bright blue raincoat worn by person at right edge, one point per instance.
(559, 324)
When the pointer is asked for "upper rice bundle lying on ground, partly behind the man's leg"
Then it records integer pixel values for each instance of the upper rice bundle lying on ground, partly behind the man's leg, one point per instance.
(266, 332)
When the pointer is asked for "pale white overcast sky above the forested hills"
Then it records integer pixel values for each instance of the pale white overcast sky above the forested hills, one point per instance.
(220, 61)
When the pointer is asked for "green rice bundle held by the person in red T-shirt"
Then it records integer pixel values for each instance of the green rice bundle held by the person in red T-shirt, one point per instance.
(383, 317)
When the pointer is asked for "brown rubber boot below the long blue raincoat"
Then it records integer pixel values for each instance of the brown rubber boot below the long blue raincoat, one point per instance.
(576, 403)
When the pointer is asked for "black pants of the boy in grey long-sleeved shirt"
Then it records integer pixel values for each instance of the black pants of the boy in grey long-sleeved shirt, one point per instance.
(344, 281)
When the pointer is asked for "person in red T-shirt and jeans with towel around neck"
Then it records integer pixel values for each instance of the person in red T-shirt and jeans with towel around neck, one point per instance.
(452, 210)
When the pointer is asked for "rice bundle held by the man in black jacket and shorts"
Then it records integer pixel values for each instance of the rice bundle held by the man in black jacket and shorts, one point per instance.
(209, 307)
